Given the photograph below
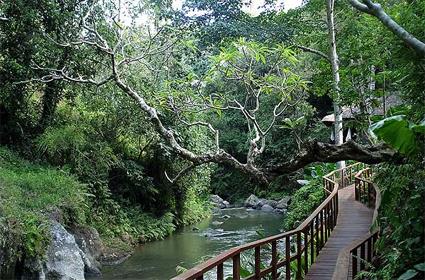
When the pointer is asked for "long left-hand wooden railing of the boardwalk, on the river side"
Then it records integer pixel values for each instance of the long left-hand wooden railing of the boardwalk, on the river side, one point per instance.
(287, 255)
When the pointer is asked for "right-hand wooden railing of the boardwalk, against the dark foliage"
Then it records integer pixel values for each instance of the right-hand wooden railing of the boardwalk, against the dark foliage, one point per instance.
(363, 251)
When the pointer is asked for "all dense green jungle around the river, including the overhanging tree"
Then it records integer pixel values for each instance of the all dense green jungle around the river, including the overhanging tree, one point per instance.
(124, 116)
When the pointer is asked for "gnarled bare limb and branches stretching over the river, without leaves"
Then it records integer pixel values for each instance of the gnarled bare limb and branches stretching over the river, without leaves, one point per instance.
(313, 152)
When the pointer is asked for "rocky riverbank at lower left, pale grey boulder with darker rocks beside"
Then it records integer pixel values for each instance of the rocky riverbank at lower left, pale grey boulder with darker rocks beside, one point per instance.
(77, 253)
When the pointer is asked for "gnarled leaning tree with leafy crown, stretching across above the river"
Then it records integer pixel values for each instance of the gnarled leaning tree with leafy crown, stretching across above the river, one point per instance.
(126, 49)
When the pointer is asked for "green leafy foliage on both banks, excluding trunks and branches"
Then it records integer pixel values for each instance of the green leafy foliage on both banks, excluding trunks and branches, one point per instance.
(102, 138)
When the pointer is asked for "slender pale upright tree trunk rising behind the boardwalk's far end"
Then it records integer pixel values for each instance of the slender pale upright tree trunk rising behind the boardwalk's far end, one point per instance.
(333, 57)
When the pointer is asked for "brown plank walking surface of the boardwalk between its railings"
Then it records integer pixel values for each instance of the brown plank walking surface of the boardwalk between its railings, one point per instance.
(354, 221)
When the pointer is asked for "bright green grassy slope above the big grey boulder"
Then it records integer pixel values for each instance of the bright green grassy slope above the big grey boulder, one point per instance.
(28, 195)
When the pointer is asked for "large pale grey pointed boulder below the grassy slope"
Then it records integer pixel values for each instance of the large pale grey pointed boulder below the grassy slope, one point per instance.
(64, 260)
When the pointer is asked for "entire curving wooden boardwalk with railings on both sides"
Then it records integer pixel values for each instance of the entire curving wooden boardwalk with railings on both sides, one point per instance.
(347, 240)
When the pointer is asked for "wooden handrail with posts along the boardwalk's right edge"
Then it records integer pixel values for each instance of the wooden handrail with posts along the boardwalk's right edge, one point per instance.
(360, 253)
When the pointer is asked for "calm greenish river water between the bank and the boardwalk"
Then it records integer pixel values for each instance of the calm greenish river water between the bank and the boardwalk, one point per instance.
(187, 247)
